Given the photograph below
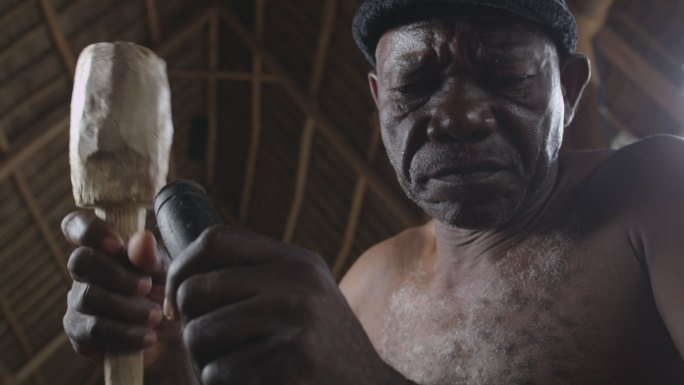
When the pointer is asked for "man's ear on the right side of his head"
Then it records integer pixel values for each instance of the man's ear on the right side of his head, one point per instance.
(575, 73)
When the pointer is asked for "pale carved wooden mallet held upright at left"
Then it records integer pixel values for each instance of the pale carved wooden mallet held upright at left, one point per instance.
(120, 139)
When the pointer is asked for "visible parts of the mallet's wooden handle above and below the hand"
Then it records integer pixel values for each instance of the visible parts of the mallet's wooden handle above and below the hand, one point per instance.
(123, 368)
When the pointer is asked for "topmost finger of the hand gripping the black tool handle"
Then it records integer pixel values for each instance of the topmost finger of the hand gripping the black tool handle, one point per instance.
(216, 248)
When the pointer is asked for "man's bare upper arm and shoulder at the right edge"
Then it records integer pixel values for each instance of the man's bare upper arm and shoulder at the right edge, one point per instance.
(643, 184)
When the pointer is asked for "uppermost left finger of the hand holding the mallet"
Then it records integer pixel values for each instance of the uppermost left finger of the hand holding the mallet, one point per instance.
(83, 228)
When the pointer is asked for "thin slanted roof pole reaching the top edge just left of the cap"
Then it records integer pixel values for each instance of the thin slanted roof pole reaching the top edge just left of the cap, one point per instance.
(306, 141)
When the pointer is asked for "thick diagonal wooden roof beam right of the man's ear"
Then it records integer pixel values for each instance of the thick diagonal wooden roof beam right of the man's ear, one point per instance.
(654, 84)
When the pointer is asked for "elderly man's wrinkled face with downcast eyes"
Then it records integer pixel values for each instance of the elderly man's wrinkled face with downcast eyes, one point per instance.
(472, 114)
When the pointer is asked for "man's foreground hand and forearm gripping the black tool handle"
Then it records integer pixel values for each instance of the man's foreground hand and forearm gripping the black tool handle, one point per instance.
(256, 311)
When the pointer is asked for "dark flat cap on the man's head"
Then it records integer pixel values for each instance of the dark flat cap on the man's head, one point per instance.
(374, 17)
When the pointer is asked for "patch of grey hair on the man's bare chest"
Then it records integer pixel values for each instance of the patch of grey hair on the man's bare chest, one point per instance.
(509, 329)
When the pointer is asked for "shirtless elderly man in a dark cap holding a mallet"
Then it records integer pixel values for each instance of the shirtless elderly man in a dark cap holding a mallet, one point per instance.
(537, 268)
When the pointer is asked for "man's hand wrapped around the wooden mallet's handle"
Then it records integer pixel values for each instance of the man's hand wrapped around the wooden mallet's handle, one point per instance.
(115, 301)
